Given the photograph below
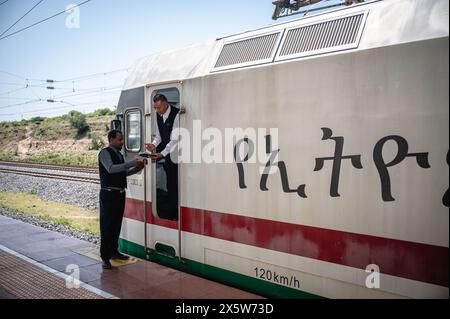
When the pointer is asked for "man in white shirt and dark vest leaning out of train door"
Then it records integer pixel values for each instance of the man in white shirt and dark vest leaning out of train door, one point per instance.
(162, 146)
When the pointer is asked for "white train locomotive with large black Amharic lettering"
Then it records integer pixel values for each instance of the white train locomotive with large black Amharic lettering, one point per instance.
(353, 201)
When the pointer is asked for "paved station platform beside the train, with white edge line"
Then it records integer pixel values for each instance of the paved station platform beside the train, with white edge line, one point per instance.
(36, 263)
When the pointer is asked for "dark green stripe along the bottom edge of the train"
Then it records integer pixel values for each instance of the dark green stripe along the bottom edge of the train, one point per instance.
(231, 278)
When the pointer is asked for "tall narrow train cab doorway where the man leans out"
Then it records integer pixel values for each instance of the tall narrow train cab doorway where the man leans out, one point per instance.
(164, 173)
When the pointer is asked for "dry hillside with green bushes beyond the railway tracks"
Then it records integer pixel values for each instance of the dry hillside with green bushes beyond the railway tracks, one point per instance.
(72, 139)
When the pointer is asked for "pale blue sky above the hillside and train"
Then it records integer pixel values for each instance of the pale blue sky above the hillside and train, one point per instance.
(89, 61)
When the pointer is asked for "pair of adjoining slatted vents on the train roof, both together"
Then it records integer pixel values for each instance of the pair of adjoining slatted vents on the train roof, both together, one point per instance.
(341, 33)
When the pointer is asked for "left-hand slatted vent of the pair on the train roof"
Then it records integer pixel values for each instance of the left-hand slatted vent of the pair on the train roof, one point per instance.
(250, 51)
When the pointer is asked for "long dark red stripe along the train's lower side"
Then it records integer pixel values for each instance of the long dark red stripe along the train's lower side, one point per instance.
(416, 261)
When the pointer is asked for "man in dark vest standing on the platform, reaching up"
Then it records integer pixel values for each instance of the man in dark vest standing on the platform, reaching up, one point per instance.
(113, 178)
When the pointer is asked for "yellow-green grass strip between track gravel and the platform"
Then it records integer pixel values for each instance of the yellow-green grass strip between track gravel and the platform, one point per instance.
(69, 215)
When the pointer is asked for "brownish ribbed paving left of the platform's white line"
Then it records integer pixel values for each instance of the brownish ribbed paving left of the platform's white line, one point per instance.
(27, 281)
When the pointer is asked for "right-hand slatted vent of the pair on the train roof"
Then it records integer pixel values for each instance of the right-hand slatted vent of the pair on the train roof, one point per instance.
(322, 37)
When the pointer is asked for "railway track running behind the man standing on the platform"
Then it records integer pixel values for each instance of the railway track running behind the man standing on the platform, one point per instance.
(47, 171)
